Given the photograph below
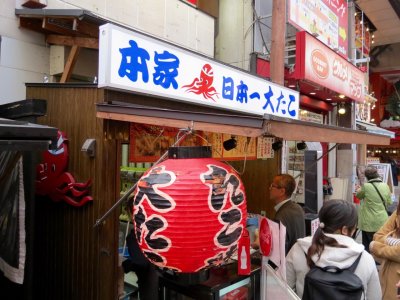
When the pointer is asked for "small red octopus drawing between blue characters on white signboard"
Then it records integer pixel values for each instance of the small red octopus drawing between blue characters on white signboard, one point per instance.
(203, 85)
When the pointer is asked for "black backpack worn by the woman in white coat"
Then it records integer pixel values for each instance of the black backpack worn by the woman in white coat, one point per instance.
(332, 283)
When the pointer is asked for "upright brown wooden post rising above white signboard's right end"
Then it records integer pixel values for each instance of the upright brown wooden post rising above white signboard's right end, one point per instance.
(278, 41)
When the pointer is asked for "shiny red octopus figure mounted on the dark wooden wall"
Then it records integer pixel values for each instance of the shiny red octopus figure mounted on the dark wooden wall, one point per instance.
(52, 179)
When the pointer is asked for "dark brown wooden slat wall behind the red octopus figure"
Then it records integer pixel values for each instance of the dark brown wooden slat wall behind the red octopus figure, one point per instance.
(72, 259)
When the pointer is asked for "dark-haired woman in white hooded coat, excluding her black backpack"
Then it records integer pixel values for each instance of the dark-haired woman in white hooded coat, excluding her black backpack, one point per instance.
(333, 245)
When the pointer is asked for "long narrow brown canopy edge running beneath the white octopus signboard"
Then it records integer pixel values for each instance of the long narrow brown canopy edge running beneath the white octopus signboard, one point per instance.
(238, 124)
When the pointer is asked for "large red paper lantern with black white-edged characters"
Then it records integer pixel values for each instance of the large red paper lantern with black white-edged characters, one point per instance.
(189, 213)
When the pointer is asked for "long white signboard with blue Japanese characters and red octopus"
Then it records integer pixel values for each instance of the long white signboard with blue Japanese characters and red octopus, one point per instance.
(138, 63)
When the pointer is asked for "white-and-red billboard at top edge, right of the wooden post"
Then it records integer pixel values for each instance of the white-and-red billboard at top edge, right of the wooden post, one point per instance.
(326, 19)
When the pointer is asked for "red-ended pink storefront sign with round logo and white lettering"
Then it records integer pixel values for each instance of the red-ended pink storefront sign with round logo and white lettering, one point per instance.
(318, 64)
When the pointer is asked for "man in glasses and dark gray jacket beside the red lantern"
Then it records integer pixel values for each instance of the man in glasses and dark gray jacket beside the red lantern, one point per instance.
(288, 212)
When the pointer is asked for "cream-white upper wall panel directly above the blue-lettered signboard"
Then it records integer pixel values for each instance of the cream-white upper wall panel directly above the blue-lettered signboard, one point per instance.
(171, 20)
